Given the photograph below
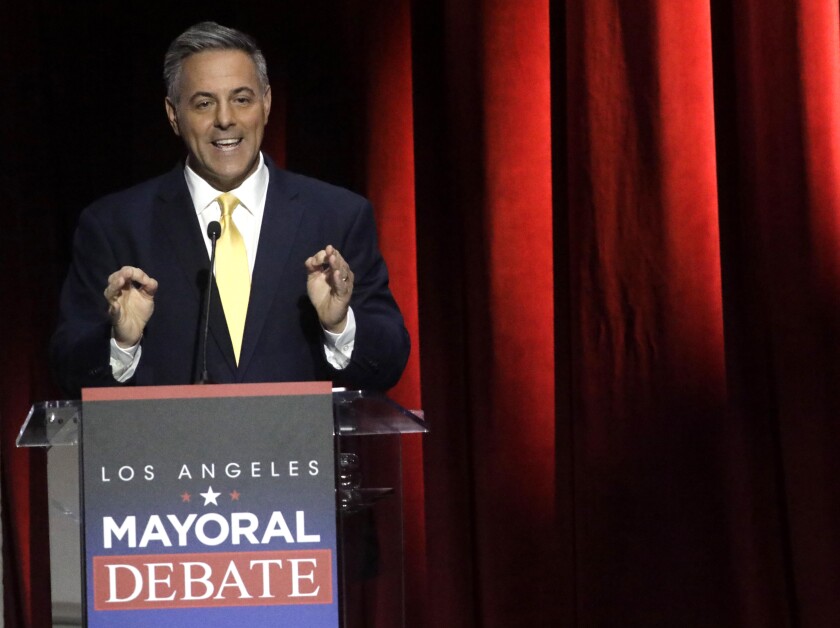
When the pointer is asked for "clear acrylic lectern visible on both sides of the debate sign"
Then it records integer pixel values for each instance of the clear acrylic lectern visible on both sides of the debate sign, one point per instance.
(368, 475)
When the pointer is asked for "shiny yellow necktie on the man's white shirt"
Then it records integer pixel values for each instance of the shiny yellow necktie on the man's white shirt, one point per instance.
(232, 273)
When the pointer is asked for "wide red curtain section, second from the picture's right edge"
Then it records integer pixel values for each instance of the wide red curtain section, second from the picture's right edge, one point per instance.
(648, 392)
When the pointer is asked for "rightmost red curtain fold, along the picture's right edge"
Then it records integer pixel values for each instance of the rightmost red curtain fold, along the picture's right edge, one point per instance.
(781, 213)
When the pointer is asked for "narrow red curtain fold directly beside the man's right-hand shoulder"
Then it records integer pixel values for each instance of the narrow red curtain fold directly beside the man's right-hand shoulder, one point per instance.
(390, 185)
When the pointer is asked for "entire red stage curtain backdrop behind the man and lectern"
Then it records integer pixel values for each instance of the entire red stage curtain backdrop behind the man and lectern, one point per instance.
(614, 229)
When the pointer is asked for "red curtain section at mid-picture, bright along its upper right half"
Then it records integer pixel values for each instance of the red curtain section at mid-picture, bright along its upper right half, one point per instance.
(486, 286)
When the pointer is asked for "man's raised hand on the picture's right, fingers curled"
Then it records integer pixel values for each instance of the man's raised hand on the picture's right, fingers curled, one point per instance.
(329, 284)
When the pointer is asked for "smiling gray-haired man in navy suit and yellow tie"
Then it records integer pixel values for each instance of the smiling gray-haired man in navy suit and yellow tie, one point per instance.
(302, 290)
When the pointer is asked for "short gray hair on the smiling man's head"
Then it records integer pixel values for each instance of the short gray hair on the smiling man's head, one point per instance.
(208, 36)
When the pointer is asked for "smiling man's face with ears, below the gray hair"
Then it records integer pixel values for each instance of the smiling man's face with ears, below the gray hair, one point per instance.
(221, 115)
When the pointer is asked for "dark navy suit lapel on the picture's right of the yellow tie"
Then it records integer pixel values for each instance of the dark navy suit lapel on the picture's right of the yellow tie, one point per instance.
(281, 221)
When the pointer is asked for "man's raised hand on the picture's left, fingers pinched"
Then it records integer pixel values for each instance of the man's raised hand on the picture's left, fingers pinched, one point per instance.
(131, 301)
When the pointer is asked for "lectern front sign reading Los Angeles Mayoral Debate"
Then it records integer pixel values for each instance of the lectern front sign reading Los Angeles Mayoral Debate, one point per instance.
(210, 506)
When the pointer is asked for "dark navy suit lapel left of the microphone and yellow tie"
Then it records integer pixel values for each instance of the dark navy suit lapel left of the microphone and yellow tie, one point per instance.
(175, 210)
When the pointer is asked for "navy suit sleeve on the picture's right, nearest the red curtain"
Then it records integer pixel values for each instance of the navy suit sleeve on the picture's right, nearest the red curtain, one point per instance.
(382, 344)
